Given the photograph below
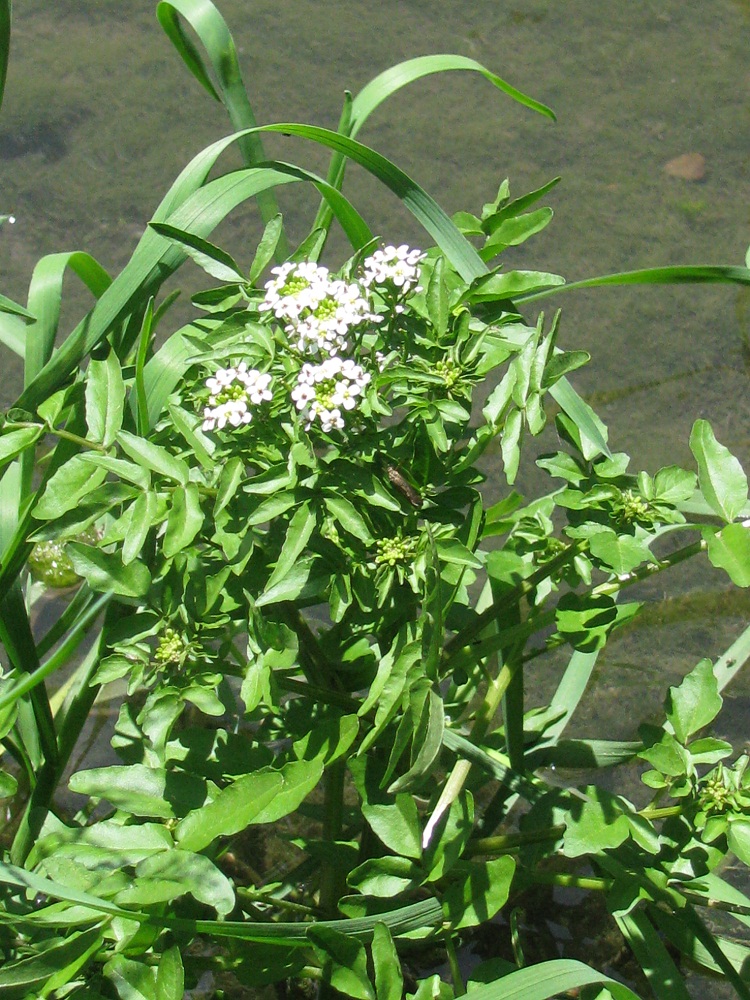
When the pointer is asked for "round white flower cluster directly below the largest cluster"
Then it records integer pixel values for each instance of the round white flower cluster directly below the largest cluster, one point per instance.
(323, 390)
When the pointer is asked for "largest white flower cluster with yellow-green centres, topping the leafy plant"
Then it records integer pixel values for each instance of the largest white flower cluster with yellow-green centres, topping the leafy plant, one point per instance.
(319, 310)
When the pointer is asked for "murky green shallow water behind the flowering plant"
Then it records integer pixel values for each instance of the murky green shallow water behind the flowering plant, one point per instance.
(100, 116)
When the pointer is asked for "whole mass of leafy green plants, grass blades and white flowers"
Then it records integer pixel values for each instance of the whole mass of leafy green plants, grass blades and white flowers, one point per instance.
(272, 524)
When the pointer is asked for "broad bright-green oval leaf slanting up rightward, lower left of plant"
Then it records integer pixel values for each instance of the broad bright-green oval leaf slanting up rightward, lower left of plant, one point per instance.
(234, 808)
